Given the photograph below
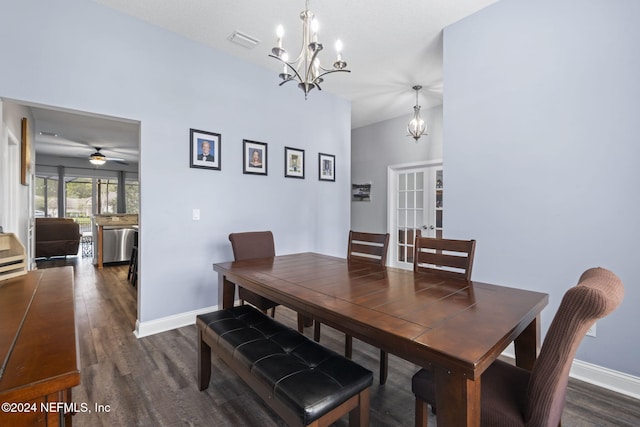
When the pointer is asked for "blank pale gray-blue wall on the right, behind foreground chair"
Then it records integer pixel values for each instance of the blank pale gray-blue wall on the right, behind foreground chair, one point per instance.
(542, 148)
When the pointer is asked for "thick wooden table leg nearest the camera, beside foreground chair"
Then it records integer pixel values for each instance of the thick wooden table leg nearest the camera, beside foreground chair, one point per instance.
(457, 399)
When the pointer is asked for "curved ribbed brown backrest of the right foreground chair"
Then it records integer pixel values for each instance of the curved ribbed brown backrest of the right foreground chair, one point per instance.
(598, 293)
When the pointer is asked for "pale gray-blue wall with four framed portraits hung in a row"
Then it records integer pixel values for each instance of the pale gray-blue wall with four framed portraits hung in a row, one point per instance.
(79, 55)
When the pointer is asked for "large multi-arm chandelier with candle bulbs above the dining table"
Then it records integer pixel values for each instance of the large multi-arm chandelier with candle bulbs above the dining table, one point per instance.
(306, 68)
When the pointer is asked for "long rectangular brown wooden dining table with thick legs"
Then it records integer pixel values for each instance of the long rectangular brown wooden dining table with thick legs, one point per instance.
(455, 327)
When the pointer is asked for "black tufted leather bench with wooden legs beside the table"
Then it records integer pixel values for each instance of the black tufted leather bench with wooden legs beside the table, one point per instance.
(304, 382)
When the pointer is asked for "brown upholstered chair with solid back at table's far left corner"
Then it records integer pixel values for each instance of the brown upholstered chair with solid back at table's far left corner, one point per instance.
(251, 245)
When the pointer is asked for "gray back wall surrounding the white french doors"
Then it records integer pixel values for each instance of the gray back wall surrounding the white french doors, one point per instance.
(377, 146)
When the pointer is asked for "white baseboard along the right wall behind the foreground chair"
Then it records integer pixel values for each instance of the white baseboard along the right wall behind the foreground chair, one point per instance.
(597, 375)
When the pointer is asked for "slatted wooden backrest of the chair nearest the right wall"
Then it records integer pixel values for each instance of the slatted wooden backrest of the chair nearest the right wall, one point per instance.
(446, 257)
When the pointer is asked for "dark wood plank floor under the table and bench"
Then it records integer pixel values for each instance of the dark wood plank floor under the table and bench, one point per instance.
(152, 381)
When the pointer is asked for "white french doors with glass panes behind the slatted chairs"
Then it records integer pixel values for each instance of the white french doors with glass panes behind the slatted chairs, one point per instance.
(415, 204)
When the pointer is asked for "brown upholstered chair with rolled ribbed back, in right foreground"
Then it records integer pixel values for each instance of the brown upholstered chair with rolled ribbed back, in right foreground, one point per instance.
(511, 396)
